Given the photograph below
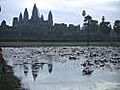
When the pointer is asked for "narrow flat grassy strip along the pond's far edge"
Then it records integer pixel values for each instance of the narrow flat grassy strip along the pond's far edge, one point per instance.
(33, 44)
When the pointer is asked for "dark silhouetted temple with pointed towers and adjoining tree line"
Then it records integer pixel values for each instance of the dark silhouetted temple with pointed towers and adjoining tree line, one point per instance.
(38, 29)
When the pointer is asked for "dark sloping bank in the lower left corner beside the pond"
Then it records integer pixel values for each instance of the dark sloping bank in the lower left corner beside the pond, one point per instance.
(8, 81)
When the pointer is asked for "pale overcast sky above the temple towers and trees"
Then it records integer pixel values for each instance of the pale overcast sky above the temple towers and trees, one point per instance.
(67, 11)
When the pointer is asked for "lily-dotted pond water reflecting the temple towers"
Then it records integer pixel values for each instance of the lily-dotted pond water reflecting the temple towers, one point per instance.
(66, 68)
